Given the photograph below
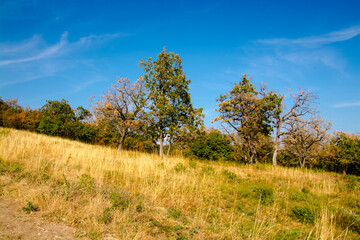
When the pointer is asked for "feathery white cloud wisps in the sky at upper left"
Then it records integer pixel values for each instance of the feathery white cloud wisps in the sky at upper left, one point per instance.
(34, 59)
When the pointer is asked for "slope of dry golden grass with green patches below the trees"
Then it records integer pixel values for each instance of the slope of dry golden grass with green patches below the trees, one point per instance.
(132, 195)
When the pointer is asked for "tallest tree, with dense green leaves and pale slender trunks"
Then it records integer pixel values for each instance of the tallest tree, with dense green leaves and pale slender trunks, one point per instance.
(170, 105)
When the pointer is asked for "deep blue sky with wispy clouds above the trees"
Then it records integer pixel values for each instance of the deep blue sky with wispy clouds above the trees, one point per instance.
(76, 49)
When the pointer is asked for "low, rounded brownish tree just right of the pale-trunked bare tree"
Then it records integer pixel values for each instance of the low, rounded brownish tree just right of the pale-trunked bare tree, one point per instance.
(305, 138)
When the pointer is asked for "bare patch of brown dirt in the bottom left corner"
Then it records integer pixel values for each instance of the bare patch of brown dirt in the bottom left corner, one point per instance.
(16, 224)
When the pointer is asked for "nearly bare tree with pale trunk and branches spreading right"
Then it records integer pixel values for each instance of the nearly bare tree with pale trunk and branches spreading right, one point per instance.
(301, 107)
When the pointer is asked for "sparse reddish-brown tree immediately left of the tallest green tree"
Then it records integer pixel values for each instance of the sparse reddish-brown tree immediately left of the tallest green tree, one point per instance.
(122, 108)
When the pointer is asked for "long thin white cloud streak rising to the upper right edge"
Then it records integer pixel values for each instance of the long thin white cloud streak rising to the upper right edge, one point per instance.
(316, 41)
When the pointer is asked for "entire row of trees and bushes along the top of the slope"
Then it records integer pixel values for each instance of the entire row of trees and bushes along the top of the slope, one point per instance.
(155, 114)
